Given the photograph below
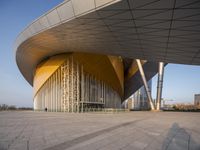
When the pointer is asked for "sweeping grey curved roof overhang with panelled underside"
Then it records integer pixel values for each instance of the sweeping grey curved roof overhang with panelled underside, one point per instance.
(165, 31)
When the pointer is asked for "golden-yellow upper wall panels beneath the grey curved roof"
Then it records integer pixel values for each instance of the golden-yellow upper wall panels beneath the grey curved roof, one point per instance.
(110, 69)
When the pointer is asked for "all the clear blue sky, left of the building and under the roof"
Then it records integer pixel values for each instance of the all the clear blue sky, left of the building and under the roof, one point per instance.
(181, 82)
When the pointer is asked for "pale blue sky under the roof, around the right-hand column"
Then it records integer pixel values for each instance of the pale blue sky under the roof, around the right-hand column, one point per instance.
(181, 82)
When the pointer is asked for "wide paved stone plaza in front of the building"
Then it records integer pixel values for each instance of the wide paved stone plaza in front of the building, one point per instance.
(99, 131)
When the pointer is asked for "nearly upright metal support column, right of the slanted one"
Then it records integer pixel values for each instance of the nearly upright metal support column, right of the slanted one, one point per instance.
(159, 85)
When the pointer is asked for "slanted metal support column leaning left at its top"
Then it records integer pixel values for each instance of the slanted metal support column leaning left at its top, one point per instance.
(145, 84)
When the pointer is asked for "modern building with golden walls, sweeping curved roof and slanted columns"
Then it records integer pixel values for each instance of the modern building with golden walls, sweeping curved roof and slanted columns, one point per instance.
(94, 54)
